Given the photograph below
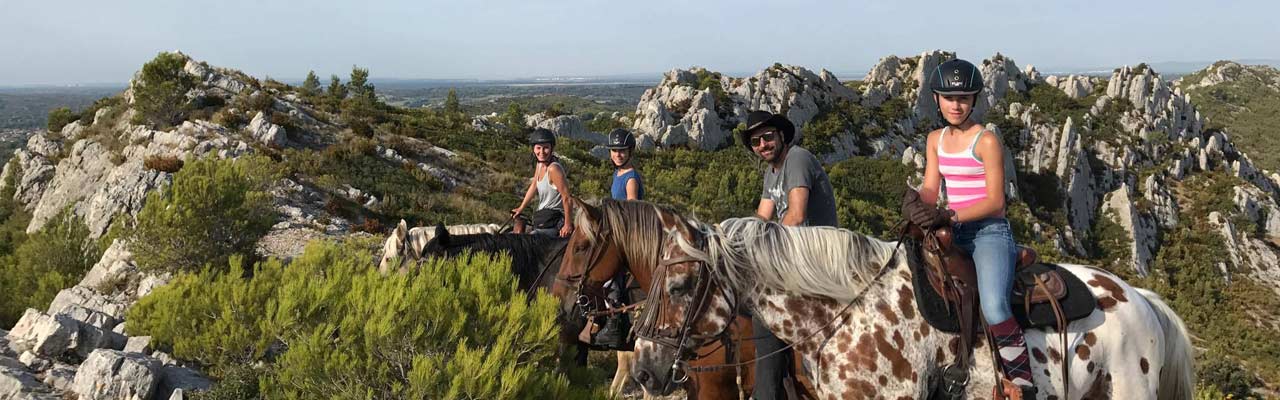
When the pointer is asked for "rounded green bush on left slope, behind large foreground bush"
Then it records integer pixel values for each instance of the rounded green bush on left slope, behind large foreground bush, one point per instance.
(213, 210)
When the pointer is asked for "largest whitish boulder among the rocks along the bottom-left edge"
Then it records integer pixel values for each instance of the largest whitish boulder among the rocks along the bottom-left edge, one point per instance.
(117, 375)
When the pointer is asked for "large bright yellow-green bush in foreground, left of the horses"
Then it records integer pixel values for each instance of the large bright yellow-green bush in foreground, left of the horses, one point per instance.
(452, 330)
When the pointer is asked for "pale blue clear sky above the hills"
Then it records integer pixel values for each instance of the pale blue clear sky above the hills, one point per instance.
(106, 42)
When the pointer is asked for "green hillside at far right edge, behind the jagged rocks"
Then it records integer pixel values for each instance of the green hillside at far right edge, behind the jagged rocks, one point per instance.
(1242, 101)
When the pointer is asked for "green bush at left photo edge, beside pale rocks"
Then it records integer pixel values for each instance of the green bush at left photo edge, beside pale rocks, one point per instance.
(52, 260)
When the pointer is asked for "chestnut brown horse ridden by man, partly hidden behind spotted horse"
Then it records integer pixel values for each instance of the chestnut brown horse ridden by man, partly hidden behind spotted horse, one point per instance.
(630, 235)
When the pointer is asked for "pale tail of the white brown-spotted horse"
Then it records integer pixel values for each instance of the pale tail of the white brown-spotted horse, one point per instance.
(1178, 375)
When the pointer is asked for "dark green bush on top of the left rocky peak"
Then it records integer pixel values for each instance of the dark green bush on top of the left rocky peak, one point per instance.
(161, 93)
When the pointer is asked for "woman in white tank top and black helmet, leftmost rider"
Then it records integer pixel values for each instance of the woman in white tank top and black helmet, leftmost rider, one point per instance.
(551, 187)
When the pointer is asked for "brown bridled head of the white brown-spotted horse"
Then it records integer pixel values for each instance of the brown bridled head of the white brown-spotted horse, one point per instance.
(688, 308)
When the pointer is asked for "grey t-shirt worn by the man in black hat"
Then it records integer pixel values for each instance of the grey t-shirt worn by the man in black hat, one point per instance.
(802, 170)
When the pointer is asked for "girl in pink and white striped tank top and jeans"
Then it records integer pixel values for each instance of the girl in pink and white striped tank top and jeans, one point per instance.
(971, 161)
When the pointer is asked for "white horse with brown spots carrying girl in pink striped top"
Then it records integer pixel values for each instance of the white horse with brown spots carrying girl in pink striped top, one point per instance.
(847, 303)
